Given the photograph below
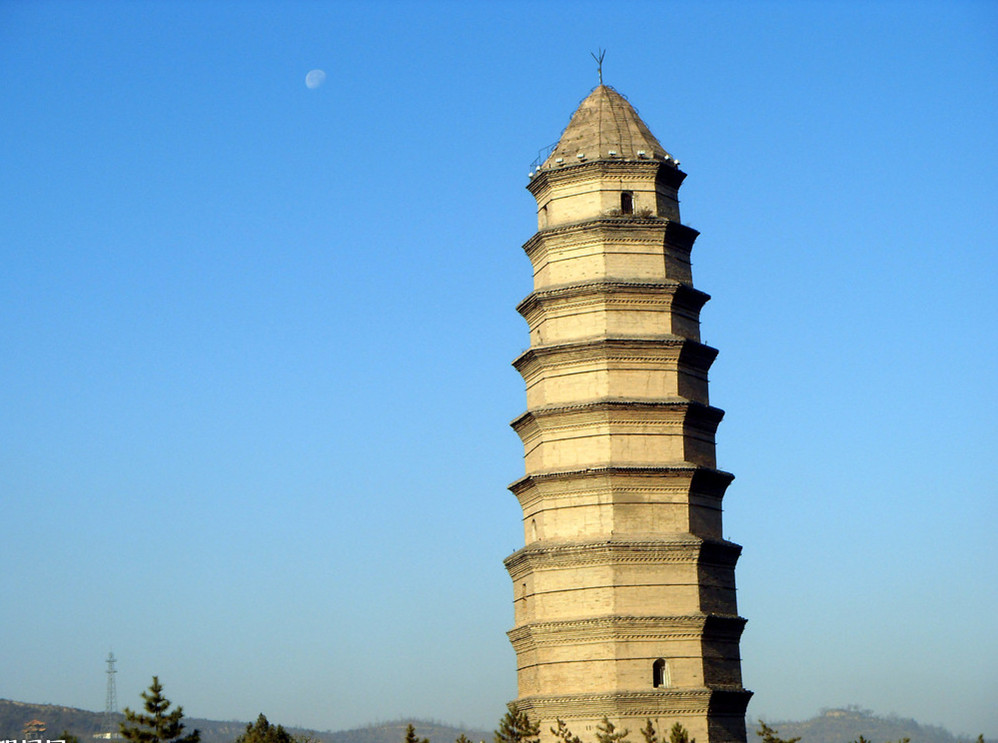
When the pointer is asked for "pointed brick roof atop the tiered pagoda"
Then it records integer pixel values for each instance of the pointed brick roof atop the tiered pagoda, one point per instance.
(605, 122)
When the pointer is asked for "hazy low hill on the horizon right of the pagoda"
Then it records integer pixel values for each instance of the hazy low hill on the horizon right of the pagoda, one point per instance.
(847, 724)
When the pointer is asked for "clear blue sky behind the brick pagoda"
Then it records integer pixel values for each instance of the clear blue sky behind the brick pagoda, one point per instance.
(255, 379)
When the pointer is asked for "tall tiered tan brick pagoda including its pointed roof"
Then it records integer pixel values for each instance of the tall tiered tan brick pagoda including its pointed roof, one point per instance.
(624, 592)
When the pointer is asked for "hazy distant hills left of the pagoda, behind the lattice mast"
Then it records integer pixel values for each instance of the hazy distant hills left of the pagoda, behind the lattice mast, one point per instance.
(84, 724)
